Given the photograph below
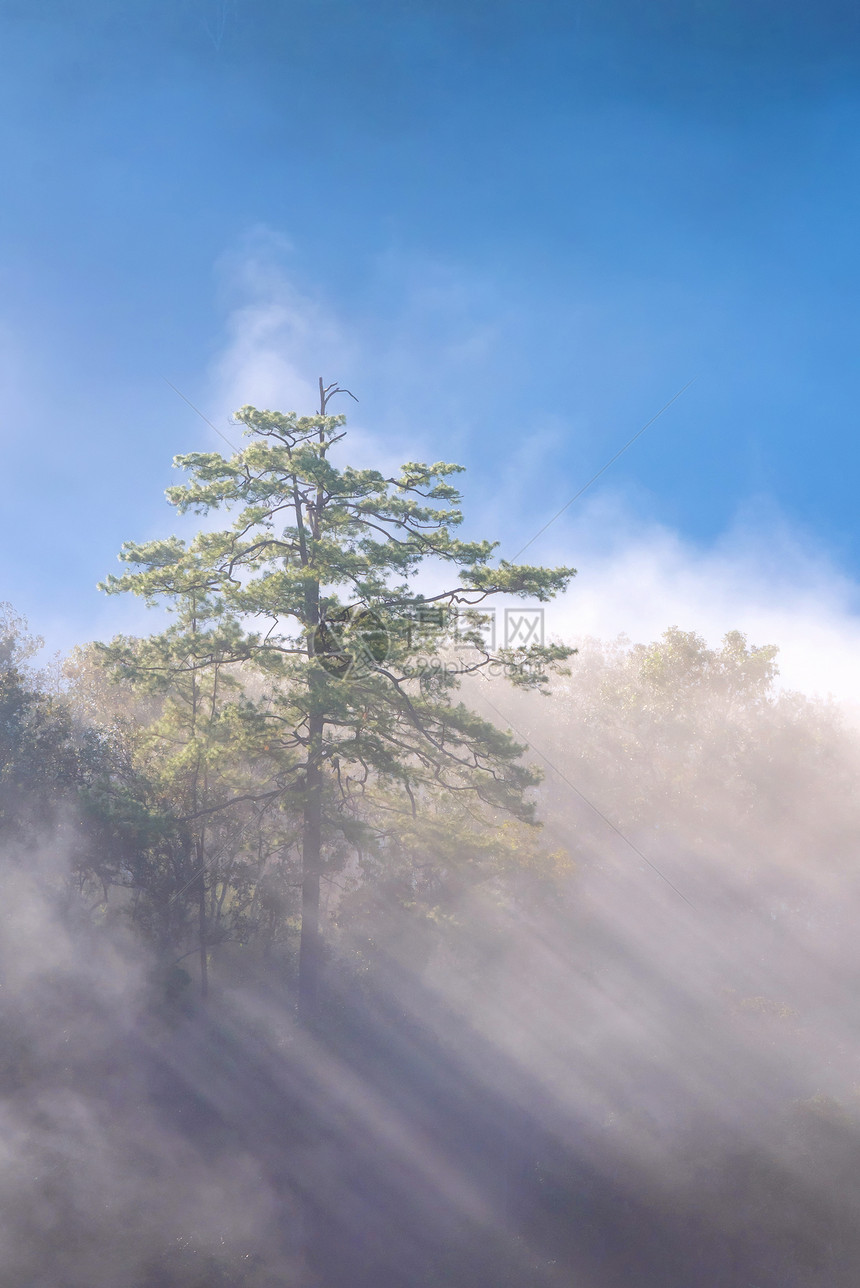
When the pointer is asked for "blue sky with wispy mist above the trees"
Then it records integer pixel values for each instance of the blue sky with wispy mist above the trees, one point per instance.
(516, 230)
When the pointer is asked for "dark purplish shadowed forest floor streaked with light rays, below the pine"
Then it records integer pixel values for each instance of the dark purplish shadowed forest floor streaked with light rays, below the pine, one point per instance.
(384, 1152)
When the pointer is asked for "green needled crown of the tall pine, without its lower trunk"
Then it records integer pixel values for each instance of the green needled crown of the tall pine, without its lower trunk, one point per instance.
(310, 545)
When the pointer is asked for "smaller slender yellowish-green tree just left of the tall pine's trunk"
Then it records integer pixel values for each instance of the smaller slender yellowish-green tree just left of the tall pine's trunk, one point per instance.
(212, 776)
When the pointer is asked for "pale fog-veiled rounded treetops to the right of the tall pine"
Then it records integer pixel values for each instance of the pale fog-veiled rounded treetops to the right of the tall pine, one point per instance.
(695, 749)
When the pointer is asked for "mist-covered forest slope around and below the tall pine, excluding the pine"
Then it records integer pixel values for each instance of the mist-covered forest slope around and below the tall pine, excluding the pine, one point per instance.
(619, 1048)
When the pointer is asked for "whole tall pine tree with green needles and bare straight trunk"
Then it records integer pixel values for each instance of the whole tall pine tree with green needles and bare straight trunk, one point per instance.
(319, 565)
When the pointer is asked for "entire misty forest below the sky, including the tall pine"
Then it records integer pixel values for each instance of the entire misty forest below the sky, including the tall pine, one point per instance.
(547, 928)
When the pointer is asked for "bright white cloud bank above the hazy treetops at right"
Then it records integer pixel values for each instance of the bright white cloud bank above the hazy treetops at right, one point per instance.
(760, 578)
